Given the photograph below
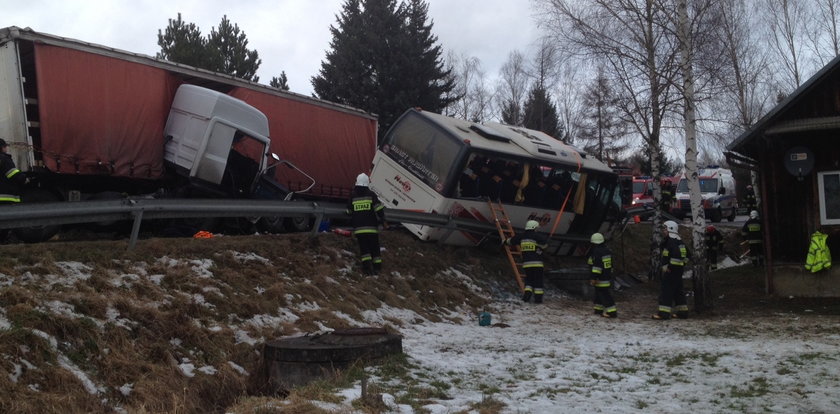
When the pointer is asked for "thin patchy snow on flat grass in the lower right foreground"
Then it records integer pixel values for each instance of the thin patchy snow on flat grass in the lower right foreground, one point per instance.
(559, 357)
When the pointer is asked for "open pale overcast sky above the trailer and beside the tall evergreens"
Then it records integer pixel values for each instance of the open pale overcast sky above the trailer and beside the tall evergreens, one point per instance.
(290, 35)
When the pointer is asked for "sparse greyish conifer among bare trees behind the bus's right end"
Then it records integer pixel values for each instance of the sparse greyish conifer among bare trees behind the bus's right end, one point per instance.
(601, 127)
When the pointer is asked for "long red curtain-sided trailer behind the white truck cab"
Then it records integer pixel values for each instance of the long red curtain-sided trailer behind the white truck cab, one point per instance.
(88, 121)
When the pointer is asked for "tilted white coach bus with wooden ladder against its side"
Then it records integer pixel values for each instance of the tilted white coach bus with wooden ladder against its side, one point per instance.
(438, 164)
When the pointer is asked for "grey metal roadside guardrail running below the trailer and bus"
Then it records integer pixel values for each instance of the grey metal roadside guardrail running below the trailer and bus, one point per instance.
(136, 210)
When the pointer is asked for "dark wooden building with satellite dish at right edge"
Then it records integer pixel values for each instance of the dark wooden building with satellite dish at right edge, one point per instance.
(795, 149)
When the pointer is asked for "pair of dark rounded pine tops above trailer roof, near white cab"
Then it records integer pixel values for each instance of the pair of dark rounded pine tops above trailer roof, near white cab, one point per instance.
(224, 50)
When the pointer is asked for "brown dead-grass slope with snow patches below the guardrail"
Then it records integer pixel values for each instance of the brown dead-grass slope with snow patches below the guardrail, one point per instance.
(90, 327)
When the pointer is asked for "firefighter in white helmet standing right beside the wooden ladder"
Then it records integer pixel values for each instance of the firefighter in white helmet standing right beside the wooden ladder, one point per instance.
(531, 244)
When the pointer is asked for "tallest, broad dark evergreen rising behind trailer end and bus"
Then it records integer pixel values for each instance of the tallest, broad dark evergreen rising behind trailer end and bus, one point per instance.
(383, 59)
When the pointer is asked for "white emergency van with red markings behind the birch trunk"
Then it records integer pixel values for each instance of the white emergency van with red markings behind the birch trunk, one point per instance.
(717, 188)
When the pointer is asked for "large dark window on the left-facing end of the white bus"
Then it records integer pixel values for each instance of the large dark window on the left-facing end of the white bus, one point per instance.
(424, 149)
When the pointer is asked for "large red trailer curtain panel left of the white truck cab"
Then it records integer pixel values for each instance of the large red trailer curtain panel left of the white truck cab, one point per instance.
(101, 115)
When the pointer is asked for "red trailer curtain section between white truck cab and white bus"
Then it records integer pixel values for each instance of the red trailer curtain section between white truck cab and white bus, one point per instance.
(331, 146)
